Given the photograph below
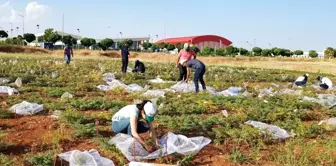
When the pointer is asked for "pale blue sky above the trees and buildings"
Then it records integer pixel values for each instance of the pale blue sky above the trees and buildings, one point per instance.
(293, 24)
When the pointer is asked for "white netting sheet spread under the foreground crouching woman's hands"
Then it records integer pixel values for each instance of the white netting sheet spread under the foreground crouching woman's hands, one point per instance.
(170, 143)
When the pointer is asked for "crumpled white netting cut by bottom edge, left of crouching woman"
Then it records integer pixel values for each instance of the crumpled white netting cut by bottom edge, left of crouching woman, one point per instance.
(86, 158)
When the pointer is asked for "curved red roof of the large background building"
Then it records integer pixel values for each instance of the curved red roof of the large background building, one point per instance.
(196, 39)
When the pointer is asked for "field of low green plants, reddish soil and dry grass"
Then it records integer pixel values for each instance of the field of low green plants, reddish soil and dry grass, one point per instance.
(35, 140)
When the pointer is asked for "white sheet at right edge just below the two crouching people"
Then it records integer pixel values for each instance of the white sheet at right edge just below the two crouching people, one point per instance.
(327, 100)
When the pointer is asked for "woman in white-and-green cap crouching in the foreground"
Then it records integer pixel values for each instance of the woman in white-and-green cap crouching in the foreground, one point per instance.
(128, 121)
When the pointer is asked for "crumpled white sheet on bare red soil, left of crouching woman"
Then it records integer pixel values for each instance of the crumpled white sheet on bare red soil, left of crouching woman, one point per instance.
(26, 108)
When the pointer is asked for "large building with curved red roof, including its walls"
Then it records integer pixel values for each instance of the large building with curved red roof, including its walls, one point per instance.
(201, 42)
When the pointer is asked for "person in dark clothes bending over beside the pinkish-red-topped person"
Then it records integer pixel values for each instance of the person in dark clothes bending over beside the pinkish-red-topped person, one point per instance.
(199, 72)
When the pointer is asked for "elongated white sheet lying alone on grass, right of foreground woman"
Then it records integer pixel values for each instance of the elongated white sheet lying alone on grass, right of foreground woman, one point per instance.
(276, 132)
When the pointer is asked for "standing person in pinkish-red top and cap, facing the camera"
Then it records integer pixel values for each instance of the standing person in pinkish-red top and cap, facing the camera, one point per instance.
(184, 55)
